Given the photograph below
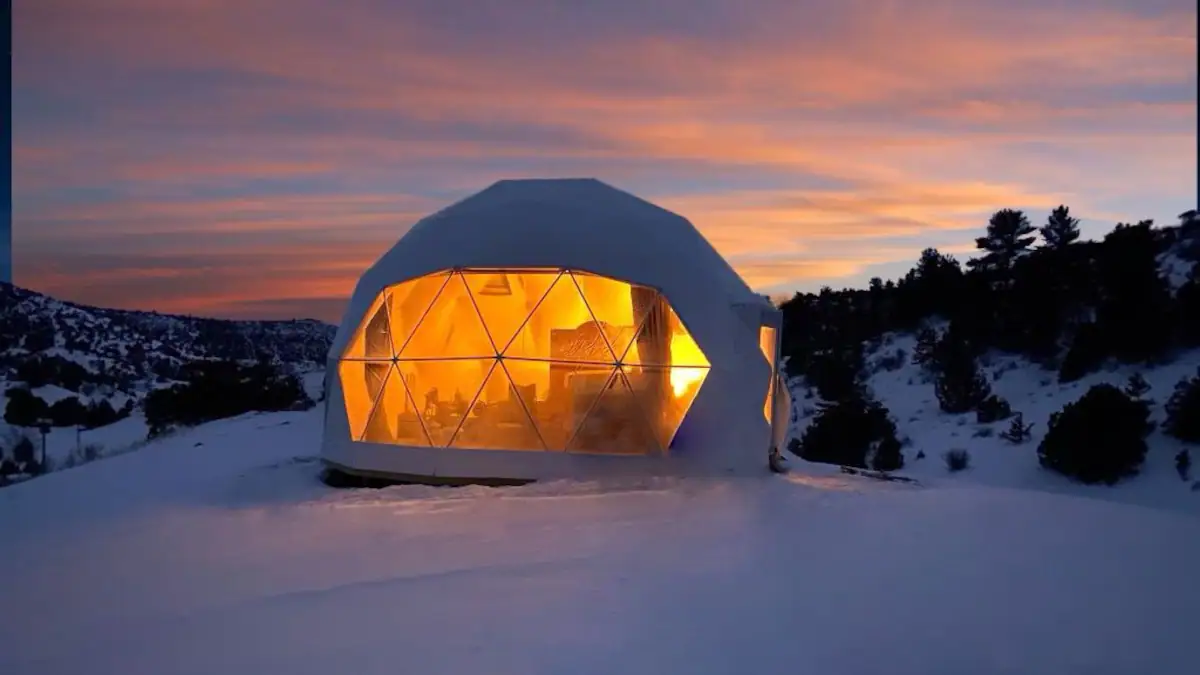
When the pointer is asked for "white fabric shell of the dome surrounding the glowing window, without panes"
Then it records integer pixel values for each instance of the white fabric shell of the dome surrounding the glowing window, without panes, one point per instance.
(573, 228)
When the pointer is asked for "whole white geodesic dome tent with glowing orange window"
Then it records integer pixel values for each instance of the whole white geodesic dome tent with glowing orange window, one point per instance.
(548, 330)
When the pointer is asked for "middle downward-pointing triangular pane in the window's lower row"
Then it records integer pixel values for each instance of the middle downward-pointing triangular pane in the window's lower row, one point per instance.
(557, 396)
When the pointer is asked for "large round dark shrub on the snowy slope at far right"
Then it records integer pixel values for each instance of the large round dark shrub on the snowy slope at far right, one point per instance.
(1099, 439)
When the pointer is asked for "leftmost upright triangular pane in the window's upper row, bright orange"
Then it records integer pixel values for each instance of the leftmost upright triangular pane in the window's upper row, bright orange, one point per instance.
(452, 328)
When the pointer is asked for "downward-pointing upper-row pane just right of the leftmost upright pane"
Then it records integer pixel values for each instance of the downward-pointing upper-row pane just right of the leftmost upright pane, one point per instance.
(507, 298)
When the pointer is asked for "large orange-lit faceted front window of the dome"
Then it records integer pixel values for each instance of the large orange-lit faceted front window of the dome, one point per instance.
(524, 360)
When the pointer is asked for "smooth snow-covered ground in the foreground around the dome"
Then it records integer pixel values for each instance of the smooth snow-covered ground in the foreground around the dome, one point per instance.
(218, 551)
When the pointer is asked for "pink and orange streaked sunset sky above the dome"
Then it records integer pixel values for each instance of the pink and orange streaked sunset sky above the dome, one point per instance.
(253, 158)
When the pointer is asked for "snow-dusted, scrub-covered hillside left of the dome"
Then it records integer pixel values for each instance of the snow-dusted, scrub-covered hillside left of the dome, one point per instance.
(63, 353)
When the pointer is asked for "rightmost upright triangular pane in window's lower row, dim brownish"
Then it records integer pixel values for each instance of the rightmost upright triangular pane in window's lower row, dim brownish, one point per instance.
(615, 425)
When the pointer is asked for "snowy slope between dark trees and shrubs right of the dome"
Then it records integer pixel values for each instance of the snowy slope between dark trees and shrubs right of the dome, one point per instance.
(1035, 393)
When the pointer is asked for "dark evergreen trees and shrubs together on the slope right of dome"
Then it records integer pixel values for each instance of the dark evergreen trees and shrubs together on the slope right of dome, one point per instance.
(1041, 292)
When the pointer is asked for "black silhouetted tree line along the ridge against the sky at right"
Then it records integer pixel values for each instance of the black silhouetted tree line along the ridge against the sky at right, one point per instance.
(1040, 292)
